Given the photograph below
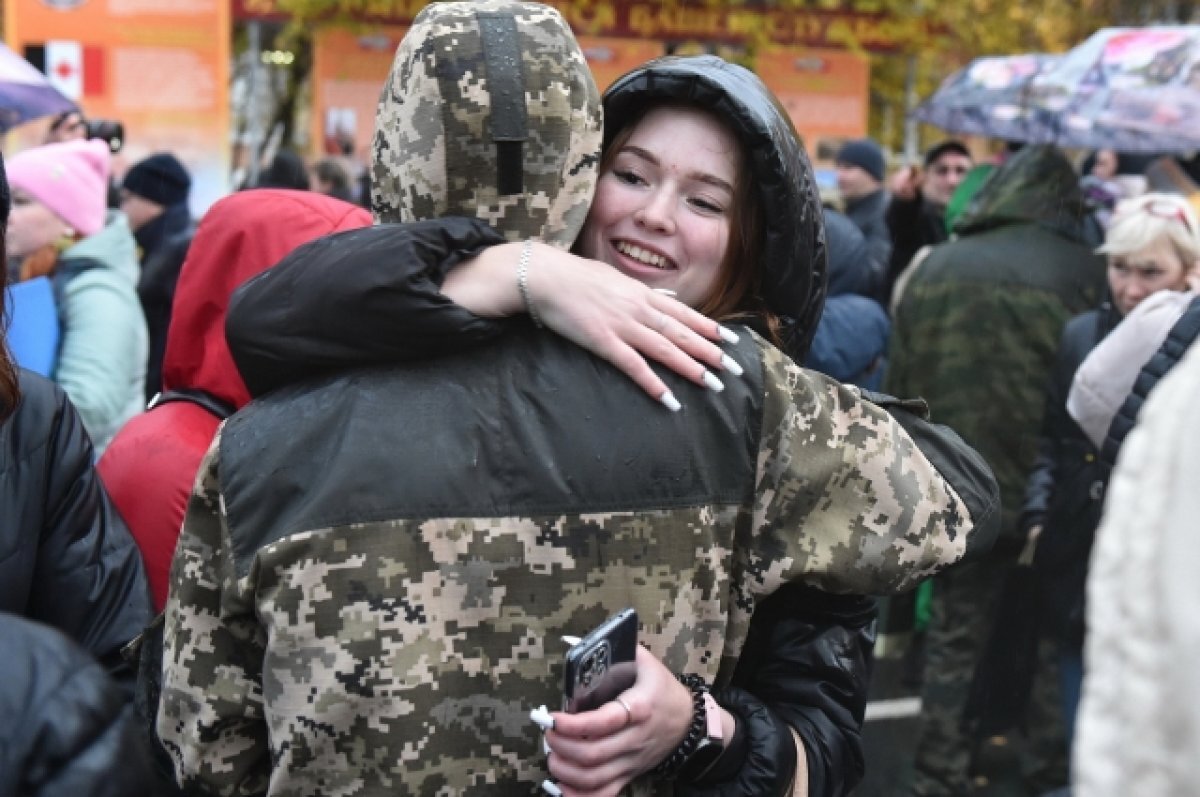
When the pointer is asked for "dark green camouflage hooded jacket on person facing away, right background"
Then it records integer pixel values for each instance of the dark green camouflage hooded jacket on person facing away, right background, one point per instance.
(979, 327)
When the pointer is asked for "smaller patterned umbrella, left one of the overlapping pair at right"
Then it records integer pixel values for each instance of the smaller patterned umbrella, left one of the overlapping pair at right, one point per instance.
(989, 97)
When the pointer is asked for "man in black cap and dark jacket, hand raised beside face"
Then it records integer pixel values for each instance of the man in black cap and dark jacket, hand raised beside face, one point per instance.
(917, 213)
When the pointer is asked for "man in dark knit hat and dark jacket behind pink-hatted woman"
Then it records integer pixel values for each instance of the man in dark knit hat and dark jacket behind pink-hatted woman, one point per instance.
(154, 199)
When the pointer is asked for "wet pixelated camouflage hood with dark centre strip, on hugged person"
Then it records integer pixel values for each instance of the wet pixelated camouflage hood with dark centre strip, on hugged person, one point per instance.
(489, 88)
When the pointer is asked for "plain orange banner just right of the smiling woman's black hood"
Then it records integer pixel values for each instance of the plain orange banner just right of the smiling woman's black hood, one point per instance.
(825, 92)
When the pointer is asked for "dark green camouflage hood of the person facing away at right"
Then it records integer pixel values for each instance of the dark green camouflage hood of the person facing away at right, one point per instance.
(1036, 187)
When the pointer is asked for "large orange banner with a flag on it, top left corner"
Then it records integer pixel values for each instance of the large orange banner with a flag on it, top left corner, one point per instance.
(161, 68)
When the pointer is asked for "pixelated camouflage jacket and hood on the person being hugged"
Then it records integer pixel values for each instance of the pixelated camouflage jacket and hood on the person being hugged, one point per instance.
(316, 656)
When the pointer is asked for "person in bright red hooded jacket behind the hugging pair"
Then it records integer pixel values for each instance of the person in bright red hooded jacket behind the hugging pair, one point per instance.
(151, 465)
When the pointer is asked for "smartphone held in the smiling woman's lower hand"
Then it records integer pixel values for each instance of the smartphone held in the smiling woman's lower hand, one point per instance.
(603, 664)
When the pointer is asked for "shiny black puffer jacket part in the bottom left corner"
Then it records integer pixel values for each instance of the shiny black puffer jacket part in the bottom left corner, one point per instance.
(68, 728)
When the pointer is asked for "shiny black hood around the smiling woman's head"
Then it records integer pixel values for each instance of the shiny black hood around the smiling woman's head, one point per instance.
(794, 254)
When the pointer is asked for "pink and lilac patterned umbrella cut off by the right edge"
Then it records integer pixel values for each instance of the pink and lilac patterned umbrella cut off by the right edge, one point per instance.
(1129, 89)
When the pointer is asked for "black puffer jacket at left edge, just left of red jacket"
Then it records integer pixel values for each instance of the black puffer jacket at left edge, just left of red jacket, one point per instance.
(67, 559)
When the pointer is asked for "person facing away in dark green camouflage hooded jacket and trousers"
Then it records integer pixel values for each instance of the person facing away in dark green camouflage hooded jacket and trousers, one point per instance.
(976, 335)
